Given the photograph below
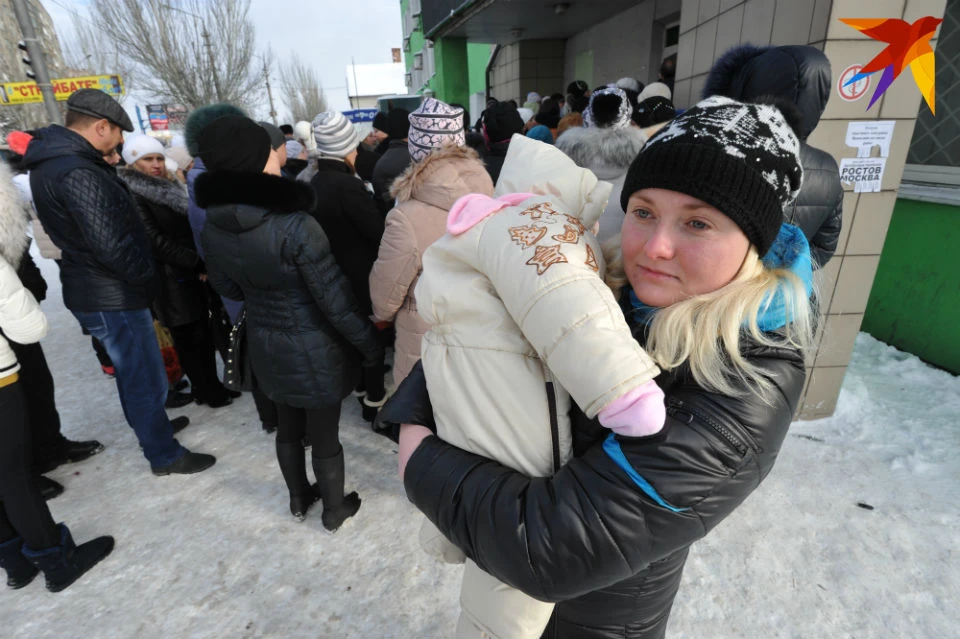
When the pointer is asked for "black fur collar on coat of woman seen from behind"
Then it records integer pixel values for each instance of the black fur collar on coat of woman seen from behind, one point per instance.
(254, 189)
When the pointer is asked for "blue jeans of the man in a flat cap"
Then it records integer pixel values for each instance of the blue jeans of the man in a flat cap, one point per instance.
(131, 342)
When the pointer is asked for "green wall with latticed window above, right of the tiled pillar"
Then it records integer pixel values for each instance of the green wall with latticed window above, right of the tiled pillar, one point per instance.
(915, 300)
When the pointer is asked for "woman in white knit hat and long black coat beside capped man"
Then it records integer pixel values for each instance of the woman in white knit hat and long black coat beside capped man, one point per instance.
(181, 304)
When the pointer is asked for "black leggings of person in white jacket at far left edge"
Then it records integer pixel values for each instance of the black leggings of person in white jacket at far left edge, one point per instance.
(23, 510)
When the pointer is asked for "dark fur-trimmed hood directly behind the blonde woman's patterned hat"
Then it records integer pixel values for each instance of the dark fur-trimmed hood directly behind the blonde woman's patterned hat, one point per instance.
(798, 74)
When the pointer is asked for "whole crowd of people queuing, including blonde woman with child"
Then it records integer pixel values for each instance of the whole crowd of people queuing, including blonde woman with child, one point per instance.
(598, 307)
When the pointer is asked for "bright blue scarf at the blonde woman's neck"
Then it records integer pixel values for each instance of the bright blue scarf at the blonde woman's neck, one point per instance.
(790, 250)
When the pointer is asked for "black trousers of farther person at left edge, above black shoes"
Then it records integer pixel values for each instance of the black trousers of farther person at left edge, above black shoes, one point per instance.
(43, 420)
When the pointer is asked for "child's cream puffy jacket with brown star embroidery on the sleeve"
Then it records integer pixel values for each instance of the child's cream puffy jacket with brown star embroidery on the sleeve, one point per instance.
(517, 295)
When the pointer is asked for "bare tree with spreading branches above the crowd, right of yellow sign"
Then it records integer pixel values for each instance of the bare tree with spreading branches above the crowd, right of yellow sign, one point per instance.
(191, 52)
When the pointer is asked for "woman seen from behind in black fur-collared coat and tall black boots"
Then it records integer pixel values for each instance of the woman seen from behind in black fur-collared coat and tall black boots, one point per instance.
(304, 328)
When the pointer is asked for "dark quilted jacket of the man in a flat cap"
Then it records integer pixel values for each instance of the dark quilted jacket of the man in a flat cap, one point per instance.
(90, 215)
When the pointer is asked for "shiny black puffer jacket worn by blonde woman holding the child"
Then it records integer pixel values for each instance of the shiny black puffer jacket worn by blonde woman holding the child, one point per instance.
(590, 537)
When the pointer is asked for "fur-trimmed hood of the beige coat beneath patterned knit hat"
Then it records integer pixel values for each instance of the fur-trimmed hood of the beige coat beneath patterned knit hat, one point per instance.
(443, 177)
